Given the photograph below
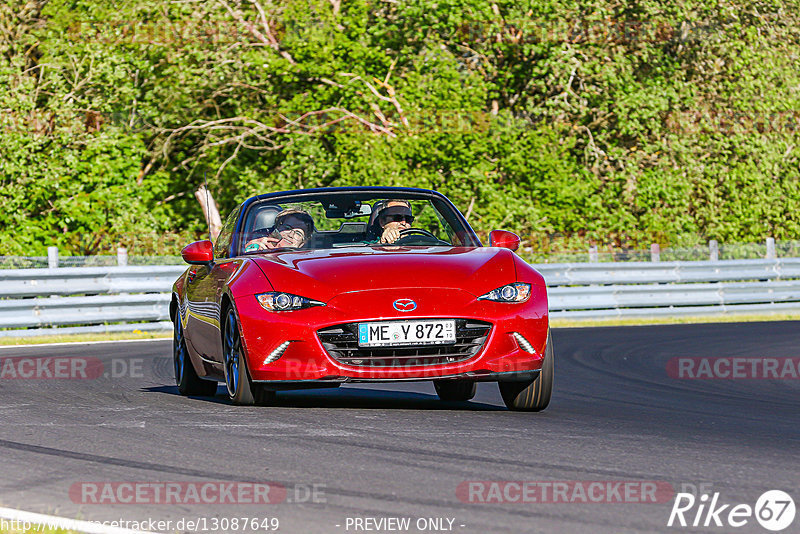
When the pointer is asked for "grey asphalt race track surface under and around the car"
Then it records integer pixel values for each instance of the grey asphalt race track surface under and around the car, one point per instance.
(395, 450)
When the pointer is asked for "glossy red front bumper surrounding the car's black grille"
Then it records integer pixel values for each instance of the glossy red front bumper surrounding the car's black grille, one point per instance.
(285, 347)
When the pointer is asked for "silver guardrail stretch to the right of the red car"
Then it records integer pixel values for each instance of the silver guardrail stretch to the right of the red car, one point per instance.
(597, 291)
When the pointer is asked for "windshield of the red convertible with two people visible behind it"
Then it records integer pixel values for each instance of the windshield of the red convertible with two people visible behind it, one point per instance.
(345, 220)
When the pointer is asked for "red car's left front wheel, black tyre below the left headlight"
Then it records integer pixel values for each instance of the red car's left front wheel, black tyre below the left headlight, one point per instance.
(241, 389)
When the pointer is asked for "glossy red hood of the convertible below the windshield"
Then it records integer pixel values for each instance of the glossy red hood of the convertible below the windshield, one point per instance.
(323, 274)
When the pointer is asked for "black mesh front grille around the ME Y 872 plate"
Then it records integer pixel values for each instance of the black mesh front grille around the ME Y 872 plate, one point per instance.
(341, 342)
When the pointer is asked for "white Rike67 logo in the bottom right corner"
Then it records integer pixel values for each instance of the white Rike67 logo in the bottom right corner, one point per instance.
(774, 510)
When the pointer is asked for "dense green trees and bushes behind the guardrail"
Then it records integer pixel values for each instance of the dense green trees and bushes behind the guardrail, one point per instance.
(617, 123)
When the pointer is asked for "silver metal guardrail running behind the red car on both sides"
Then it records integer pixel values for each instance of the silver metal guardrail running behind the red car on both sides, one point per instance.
(41, 298)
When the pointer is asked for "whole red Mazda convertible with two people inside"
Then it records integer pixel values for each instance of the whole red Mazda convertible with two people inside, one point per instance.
(320, 287)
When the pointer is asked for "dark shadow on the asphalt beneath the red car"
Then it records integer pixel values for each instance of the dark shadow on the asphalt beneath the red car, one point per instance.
(362, 398)
